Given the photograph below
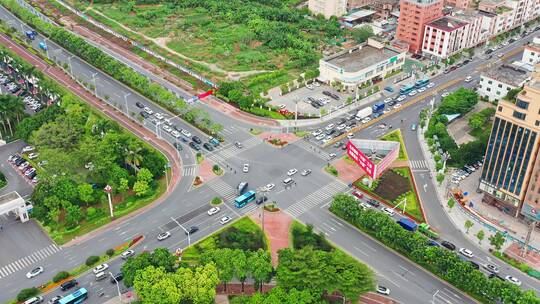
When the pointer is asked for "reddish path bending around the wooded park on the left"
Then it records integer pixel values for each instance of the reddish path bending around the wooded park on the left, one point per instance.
(60, 76)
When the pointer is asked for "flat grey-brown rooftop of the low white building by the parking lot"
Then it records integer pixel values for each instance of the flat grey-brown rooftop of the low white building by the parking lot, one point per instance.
(361, 57)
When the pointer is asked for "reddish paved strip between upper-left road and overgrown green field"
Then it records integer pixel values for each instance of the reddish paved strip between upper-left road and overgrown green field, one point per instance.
(212, 101)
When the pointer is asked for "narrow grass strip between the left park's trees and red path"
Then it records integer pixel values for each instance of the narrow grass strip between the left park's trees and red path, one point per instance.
(61, 235)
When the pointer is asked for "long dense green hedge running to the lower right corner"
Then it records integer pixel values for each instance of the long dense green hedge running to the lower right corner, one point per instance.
(441, 262)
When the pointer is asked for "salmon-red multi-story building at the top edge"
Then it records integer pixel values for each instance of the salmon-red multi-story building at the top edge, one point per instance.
(413, 16)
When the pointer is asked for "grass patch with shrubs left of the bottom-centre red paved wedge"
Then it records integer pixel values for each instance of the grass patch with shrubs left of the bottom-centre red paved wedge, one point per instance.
(192, 254)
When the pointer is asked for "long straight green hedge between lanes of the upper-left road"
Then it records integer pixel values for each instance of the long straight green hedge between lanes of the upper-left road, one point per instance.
(116, 69)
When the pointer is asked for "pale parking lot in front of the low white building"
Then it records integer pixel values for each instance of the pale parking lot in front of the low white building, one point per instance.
(311, 100)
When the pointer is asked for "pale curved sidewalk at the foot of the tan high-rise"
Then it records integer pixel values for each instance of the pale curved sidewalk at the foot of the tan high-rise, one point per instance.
(460, 214)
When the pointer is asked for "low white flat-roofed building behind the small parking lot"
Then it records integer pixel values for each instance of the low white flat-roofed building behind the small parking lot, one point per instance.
(369, 61)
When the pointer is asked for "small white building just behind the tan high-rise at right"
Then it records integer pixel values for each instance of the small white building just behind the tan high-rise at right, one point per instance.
(495, 83)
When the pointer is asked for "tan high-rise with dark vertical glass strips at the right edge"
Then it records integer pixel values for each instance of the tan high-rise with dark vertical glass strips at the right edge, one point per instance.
(510, 171)
